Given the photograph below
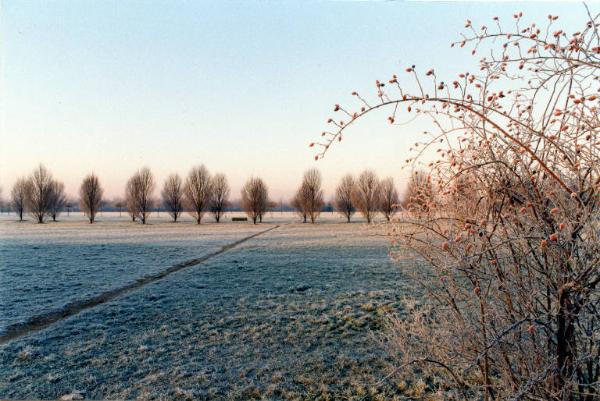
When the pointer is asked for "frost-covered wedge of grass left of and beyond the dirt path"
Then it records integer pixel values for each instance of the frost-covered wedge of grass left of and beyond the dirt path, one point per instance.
(45, 267)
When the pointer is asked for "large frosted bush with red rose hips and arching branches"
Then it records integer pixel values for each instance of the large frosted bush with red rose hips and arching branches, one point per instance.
(508, 259)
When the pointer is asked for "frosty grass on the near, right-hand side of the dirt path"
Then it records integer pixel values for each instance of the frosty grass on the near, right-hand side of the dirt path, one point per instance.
(290, 314)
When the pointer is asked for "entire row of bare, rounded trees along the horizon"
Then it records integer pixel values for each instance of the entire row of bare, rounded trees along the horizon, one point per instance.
(43, 197)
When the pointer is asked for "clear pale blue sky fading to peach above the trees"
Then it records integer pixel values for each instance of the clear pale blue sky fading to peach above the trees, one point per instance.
(242, 87)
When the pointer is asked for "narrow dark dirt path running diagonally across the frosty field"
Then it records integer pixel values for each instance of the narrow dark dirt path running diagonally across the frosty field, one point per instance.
(40, 322)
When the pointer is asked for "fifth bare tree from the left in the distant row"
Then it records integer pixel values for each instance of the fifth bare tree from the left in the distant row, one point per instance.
(140, 201)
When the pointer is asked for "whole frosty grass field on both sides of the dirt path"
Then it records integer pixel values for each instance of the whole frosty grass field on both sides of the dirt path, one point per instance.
(290, 314)
